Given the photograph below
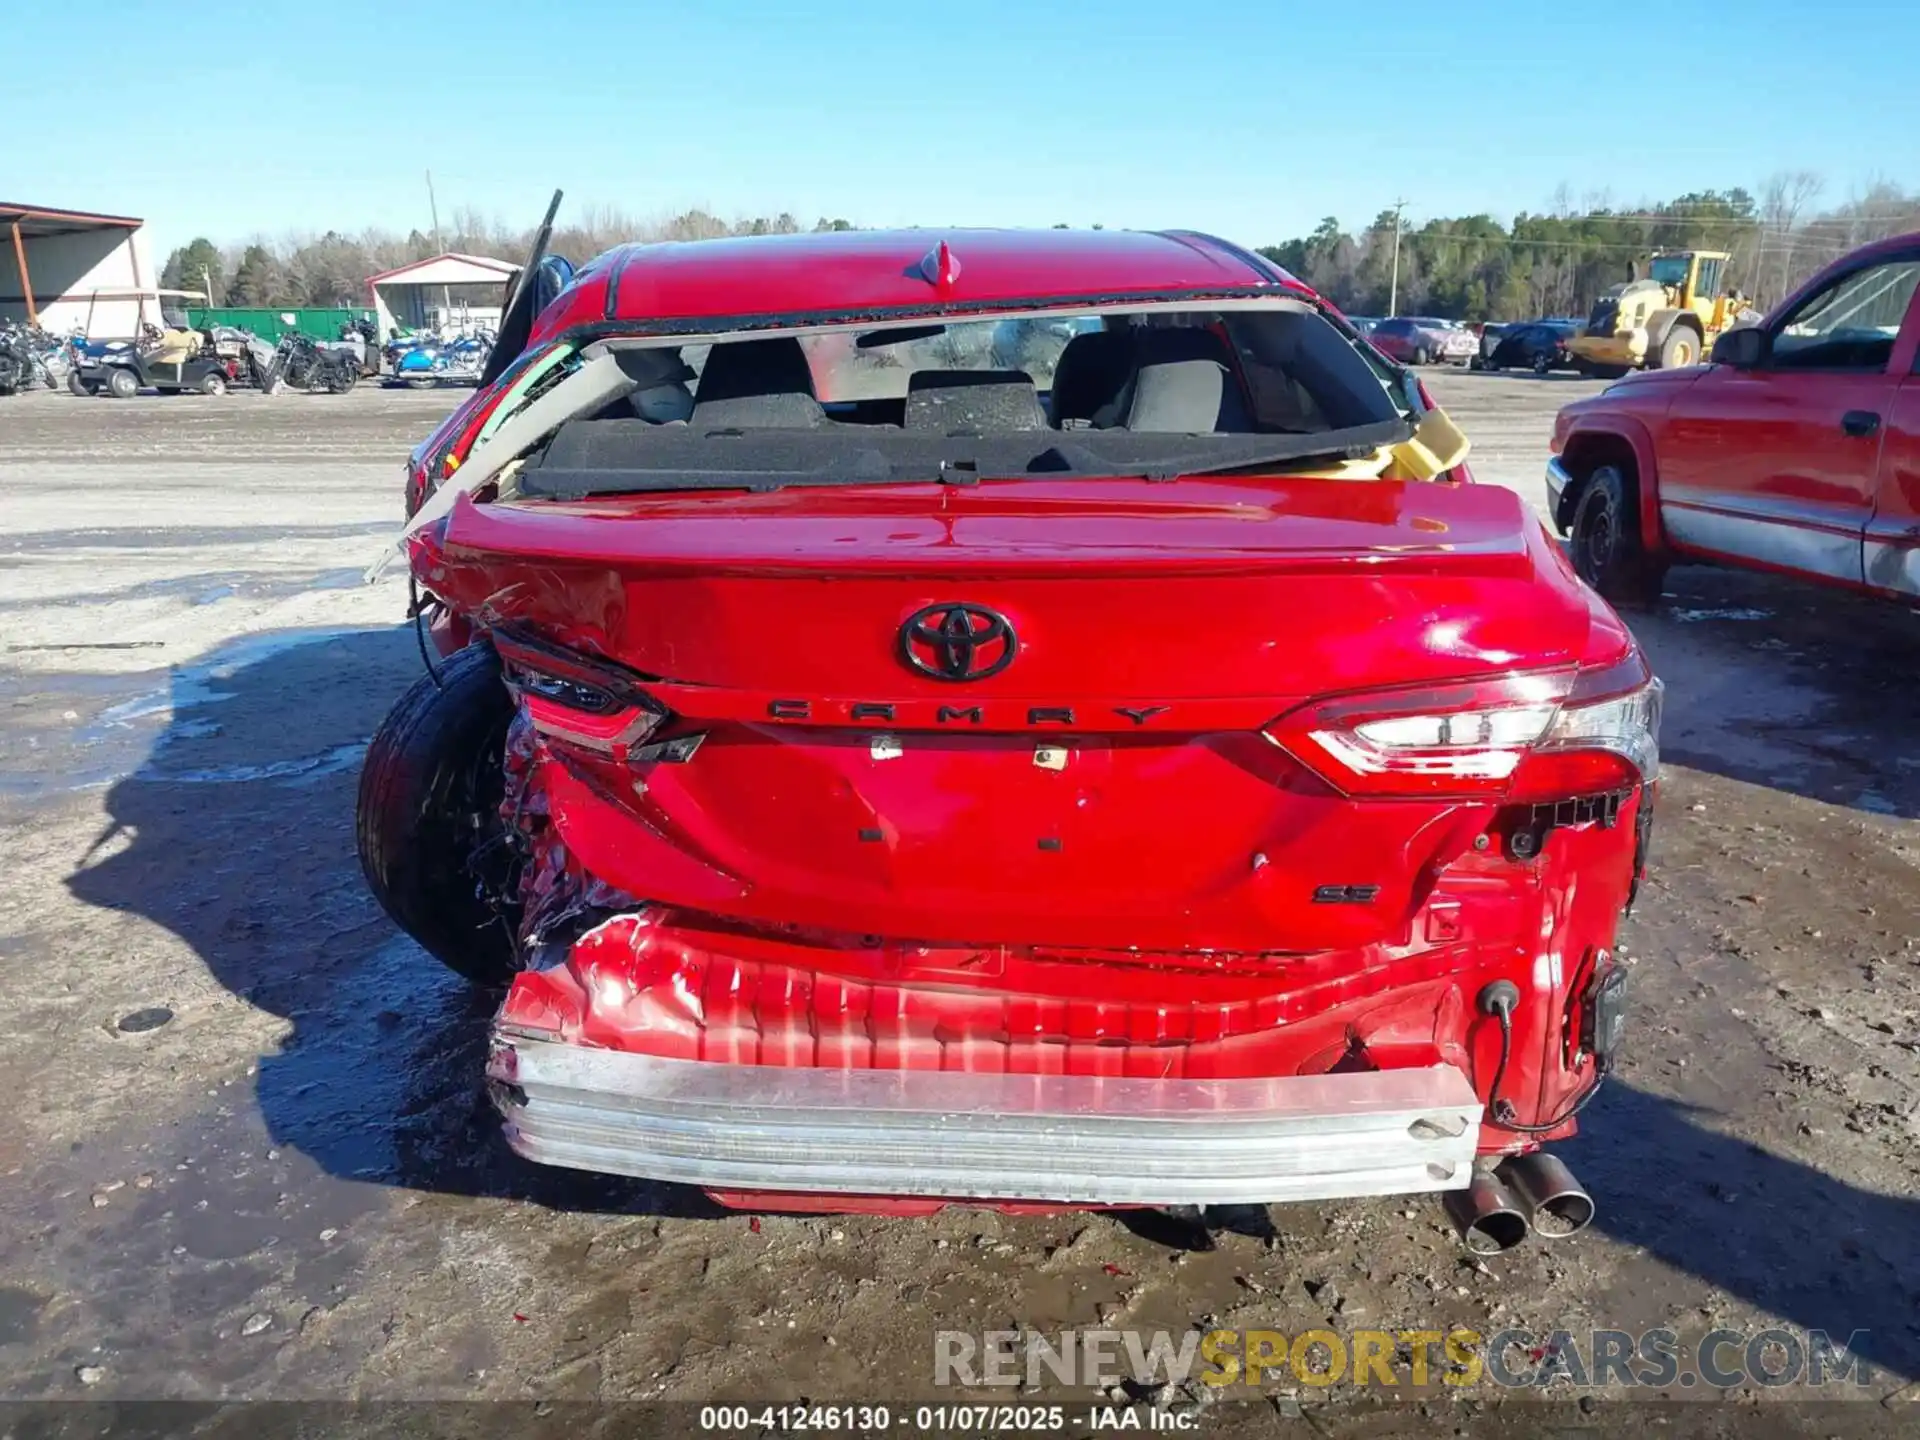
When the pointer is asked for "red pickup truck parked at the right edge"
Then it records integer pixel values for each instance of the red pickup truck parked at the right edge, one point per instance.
(1796, 450)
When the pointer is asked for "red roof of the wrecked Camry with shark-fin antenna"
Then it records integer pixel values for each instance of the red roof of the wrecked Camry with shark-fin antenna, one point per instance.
(863, 272)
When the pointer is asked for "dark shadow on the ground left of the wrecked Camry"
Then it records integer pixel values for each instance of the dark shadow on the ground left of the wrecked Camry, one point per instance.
(239, 836)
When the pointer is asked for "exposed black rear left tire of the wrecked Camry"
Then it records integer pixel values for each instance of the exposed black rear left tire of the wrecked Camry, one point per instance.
(429, 809)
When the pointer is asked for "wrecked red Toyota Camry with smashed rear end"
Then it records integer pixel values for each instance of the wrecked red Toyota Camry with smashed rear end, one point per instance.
(1007, 719)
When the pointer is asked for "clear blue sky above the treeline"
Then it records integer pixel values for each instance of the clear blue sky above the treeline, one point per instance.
(1251, 120)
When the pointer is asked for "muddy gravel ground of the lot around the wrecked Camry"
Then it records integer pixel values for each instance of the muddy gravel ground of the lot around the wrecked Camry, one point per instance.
(293, 1188)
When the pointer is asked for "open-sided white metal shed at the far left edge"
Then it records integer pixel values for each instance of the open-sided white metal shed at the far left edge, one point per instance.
(59, 260)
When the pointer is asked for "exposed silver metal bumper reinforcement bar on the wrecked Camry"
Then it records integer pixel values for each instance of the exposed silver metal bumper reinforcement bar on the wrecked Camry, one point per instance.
(1076, 1140)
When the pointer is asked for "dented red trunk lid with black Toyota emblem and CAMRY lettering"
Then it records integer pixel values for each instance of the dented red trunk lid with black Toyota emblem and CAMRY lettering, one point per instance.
(972, 715)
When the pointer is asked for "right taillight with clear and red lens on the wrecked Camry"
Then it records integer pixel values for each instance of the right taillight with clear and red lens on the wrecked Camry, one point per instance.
(1550, 734)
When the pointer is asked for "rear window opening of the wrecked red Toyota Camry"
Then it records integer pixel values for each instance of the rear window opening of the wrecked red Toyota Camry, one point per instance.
(1101, 393)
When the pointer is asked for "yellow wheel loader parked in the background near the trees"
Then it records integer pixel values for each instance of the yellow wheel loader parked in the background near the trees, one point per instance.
(1668, 320)
